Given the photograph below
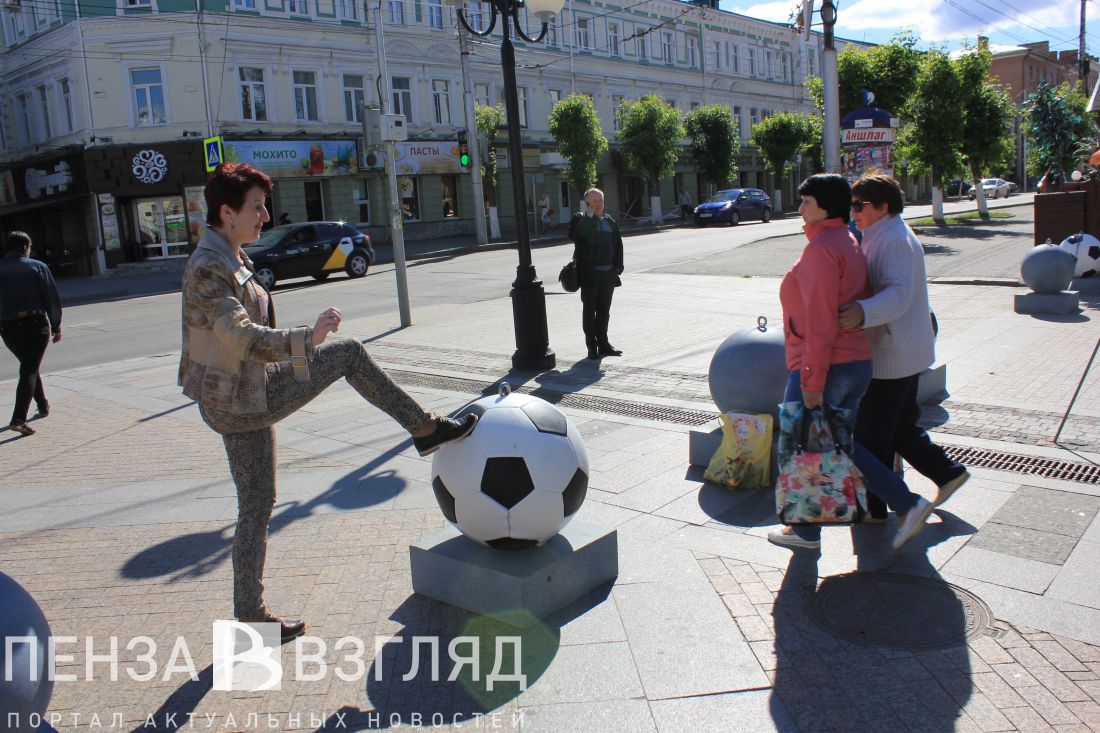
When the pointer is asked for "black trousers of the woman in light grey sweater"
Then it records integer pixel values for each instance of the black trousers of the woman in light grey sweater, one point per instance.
(888, 425)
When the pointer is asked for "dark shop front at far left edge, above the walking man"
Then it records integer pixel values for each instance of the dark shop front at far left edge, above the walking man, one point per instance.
(48, 199)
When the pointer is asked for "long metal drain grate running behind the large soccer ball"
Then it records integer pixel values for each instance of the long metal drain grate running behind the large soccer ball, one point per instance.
(625, 408)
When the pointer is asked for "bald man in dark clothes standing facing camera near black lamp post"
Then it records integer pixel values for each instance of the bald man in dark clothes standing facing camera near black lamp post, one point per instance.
(598, 249)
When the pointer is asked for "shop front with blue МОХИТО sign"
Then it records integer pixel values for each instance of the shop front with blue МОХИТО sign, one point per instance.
(315, 180)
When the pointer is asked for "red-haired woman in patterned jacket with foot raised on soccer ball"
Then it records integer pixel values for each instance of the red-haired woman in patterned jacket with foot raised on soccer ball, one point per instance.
(247, 375)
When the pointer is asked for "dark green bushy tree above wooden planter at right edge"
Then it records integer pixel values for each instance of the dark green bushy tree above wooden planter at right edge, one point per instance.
(1057, 124)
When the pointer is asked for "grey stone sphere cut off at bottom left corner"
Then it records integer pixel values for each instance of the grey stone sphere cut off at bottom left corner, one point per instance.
(27, 694)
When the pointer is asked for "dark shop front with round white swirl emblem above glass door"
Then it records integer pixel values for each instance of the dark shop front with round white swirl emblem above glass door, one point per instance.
(149, 200)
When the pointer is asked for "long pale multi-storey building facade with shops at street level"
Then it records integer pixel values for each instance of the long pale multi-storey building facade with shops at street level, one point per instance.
(105, 105)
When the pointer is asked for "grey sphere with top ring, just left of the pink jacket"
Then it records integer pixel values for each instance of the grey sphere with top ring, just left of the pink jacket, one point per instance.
(749, 371)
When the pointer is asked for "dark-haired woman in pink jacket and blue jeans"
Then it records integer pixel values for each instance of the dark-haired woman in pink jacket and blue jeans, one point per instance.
(828, 365)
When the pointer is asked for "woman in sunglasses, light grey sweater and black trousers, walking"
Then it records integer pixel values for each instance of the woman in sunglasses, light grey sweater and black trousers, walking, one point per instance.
(899, 324)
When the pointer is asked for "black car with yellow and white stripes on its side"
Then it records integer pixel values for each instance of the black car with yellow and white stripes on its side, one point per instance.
(314, 249)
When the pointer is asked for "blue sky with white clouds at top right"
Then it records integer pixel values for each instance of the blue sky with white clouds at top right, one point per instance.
(949, 23)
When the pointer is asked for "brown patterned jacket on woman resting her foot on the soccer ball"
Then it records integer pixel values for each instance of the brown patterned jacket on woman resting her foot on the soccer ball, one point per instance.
(226, 349)
